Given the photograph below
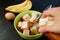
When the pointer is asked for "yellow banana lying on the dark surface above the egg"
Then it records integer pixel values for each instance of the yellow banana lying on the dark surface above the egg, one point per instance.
(26, 5)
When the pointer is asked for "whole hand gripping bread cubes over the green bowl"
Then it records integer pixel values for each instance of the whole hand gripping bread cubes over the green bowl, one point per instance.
(55, 12)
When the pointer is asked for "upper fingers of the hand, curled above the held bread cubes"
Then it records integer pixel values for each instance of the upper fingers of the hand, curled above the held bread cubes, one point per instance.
(52, 12)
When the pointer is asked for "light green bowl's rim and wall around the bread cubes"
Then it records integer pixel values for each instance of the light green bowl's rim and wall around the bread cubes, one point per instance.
(18, 18)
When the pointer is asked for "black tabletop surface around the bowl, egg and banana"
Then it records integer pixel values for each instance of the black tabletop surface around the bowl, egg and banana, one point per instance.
(7, 31)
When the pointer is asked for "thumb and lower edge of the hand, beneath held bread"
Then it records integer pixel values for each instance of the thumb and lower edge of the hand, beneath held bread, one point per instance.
(52, 28)
